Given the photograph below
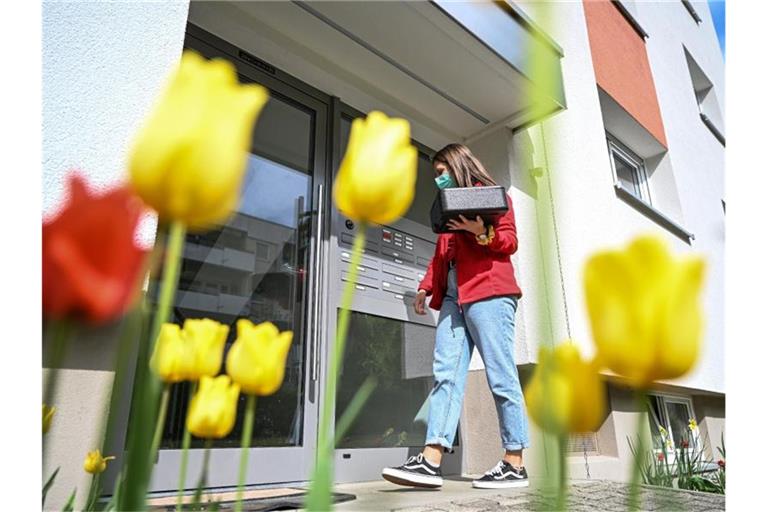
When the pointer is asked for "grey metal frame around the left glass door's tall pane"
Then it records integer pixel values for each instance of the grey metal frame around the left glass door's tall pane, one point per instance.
(286, 464)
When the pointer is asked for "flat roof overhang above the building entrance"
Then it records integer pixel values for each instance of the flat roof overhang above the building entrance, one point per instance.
(454, 69)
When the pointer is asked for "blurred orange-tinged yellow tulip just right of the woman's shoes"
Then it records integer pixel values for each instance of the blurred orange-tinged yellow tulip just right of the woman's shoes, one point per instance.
(565, 394)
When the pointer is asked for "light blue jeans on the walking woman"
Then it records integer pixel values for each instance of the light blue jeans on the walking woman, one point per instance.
(488, 325)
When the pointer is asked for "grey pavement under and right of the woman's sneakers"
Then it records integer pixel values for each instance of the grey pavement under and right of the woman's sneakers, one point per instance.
(457, 495)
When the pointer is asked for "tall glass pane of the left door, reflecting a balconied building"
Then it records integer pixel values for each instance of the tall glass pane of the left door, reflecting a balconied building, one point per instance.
(255, 267)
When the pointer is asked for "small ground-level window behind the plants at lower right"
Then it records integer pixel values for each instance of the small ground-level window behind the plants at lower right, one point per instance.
(674, 415)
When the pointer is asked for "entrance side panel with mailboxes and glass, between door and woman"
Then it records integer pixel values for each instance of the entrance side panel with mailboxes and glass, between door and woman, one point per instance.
(385, 340)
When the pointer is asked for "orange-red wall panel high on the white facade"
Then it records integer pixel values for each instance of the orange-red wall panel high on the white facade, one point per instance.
(621, 65)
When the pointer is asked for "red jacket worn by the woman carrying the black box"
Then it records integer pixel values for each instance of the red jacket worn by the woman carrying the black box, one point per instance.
(482, 271)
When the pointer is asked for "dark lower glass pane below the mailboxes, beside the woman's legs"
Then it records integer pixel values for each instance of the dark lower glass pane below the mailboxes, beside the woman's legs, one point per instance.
(399, 355)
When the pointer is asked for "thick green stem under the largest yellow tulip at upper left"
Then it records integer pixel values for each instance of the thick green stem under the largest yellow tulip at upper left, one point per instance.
(140, 461)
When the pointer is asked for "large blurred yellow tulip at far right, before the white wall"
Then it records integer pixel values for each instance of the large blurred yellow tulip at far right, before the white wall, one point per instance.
(644, 310)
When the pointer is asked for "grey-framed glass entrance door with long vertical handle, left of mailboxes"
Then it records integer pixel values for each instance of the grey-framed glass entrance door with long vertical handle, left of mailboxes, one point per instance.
(259, 266)
